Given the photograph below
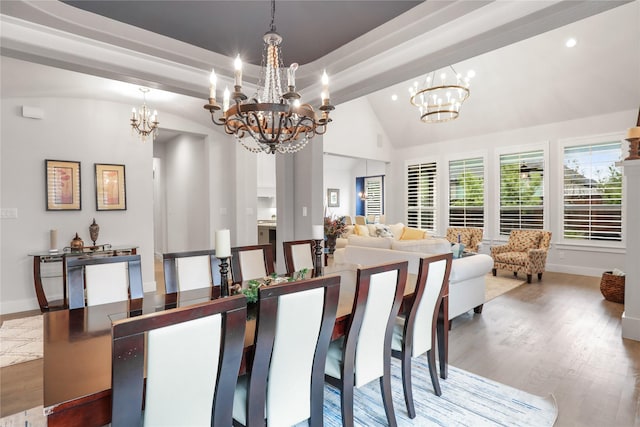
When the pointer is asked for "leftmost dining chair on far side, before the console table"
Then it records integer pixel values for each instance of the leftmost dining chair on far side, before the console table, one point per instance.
(94, 280)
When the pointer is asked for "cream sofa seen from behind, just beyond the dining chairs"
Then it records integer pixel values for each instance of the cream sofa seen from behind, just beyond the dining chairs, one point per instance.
(466, 281)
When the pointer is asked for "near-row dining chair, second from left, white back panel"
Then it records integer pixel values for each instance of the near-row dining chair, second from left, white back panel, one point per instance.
(286, 381)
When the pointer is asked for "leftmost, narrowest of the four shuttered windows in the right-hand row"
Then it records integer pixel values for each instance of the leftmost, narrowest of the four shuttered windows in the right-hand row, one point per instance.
(421, 196)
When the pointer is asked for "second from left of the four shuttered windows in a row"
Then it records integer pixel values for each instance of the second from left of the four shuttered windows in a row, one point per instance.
(466, 193)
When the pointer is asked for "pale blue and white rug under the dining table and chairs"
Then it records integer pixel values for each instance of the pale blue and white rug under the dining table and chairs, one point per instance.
(467, 400)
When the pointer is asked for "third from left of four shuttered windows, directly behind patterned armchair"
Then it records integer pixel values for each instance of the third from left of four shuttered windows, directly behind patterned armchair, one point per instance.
(521, 191)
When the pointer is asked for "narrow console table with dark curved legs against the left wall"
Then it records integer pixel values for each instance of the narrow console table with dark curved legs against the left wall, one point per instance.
(48, 257)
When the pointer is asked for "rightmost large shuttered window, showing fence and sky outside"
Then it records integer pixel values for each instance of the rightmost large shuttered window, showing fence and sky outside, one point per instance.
(592, 193)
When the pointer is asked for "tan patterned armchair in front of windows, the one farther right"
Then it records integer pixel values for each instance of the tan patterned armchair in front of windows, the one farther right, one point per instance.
(525, 252)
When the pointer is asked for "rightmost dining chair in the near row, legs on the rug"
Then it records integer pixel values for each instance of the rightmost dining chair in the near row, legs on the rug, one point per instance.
(415, 331)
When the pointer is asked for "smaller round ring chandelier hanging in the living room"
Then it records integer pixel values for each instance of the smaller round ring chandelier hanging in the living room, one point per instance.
(441, 97)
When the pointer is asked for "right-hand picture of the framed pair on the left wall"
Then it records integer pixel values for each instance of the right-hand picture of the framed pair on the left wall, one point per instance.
(111, 194)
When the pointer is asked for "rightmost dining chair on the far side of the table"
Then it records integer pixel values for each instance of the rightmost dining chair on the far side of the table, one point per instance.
(251, 262)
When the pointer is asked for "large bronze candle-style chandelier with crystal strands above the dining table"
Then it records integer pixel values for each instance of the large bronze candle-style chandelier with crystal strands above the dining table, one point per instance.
(276, 121)
